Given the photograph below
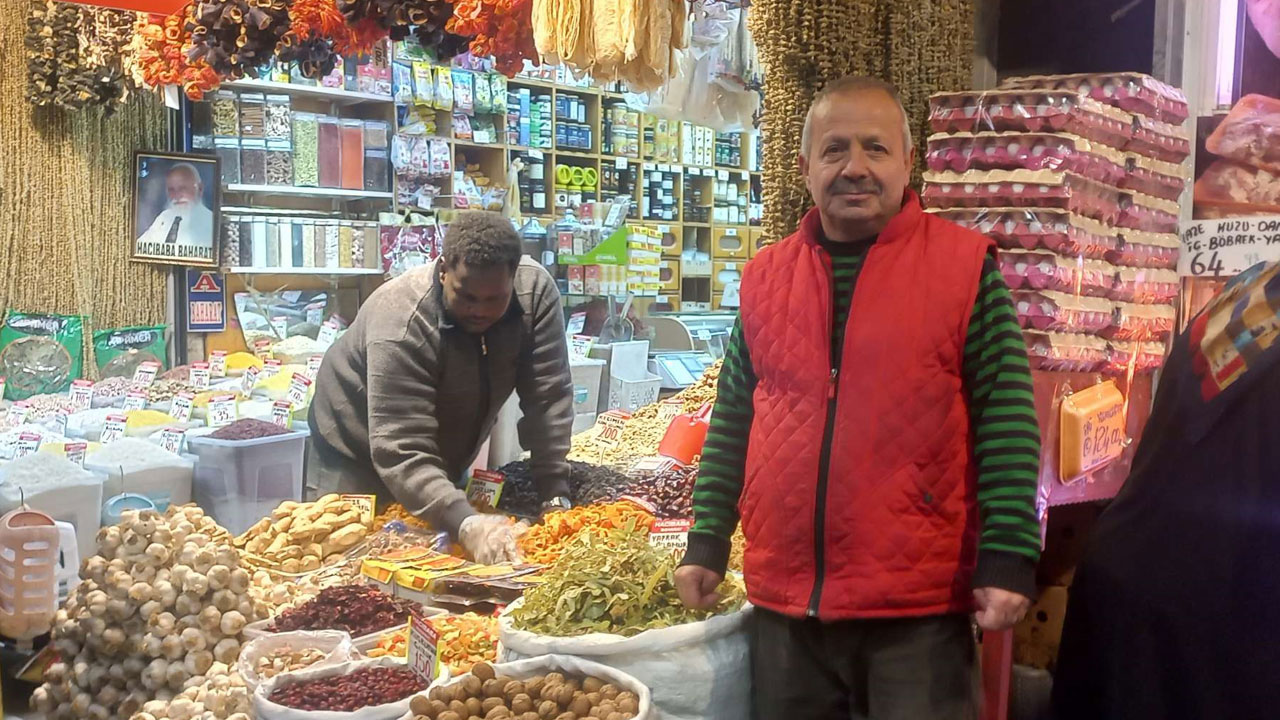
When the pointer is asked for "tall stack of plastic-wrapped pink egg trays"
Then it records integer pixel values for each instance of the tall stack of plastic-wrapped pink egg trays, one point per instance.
(1077, 179)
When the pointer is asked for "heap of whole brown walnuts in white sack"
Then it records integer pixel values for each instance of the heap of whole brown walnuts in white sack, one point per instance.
(484, 694)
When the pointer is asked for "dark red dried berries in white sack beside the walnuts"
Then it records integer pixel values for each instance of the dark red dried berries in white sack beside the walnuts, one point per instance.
(349, 694)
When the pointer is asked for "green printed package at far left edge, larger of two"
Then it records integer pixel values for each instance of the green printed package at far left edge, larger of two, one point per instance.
(40, 354)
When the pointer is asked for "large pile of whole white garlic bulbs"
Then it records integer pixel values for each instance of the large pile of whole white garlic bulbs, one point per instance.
(152, 623)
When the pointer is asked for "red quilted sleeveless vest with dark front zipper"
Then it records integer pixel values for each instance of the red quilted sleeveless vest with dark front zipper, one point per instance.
(899, 511)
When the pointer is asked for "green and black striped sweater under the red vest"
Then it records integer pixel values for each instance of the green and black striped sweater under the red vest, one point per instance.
(1003, 416)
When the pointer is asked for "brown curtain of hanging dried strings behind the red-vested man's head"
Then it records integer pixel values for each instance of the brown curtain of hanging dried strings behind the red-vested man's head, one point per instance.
(924, 47)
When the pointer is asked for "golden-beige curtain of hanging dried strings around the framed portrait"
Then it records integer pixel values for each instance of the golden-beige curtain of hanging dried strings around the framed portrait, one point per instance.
(65, 202)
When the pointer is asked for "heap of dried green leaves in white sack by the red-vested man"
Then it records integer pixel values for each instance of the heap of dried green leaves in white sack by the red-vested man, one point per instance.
(614, 584)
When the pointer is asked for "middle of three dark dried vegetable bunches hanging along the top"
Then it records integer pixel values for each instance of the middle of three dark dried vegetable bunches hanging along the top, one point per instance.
(237, 37)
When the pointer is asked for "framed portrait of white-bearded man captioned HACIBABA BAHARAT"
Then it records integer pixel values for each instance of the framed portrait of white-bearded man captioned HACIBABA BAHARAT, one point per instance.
(176, 200)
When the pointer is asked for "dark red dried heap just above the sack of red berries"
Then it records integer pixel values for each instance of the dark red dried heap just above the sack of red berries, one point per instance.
(358, 609)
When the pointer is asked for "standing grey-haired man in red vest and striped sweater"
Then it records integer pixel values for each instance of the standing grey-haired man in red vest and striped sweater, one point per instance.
(876, 434)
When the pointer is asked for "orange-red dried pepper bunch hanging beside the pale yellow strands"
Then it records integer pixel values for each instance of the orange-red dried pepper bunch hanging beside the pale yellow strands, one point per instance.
(502, 29)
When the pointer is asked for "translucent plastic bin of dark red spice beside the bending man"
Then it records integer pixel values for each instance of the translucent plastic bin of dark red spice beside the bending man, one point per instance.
(243, 481)
